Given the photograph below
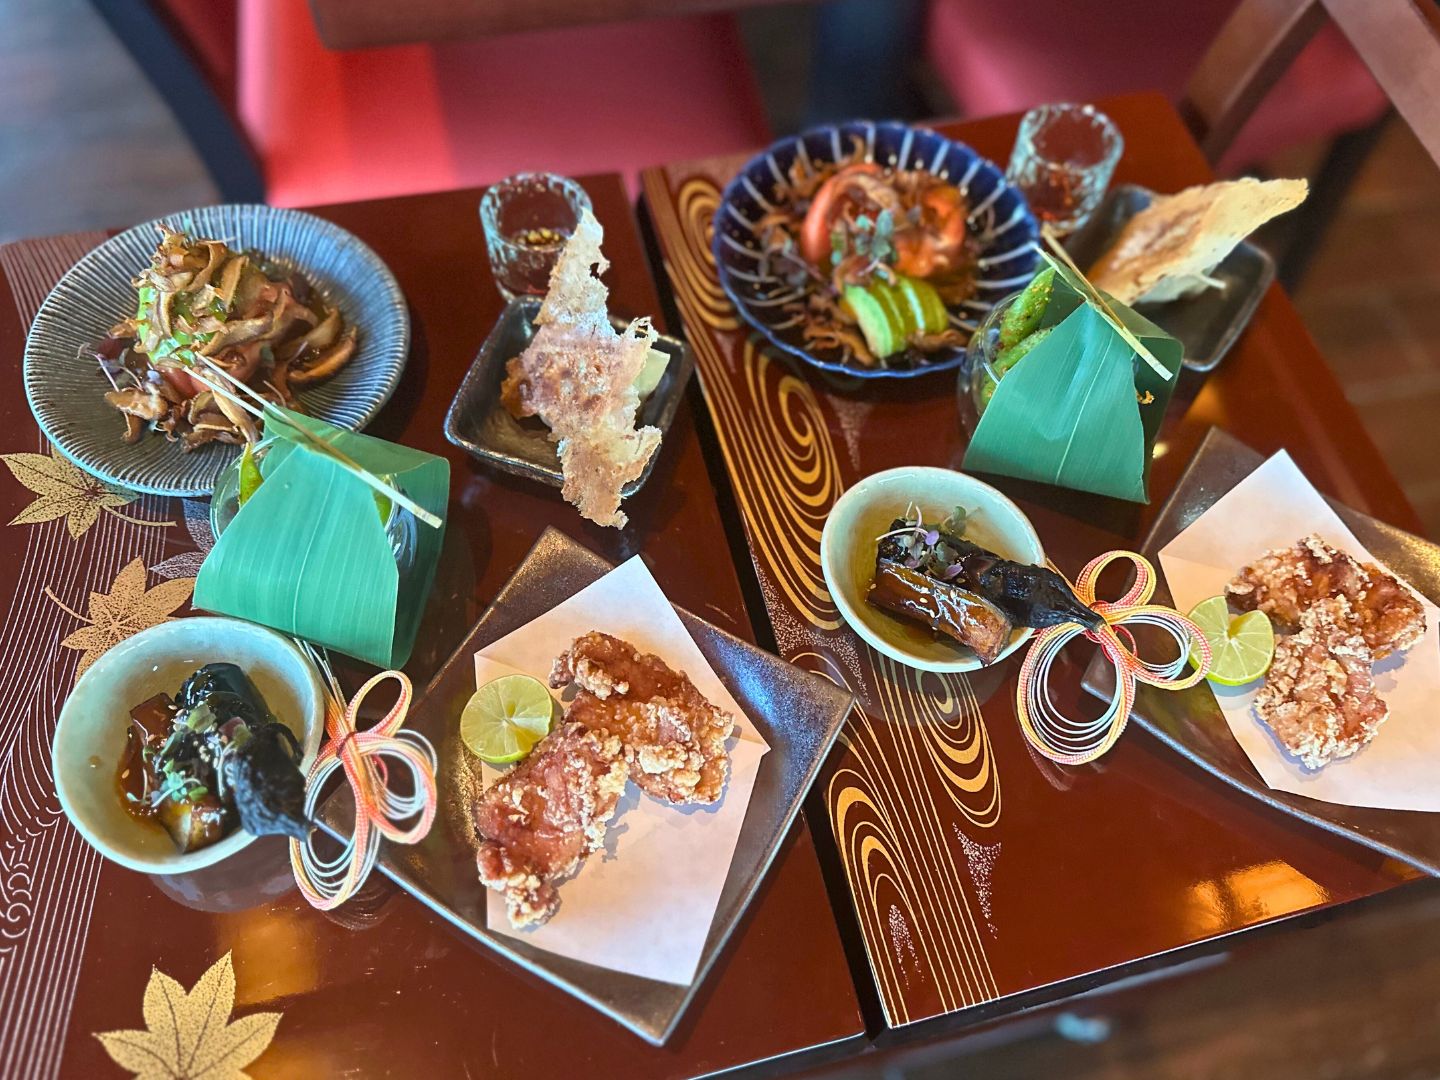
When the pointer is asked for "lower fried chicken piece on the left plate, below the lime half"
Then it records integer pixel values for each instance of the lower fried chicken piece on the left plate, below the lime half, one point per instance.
(546, 816)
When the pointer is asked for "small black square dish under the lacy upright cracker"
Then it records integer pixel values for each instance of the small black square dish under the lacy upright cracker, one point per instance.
(482, 426)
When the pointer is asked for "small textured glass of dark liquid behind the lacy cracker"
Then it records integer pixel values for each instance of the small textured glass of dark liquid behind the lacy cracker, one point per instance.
(528, 218)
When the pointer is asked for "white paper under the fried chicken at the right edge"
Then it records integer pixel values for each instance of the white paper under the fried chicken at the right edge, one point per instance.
(1274, 508)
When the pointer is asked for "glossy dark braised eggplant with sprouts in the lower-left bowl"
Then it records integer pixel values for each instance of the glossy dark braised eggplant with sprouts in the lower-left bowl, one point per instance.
(211, 760)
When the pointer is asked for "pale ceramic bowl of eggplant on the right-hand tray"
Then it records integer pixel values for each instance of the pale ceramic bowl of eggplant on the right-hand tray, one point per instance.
(847, 555)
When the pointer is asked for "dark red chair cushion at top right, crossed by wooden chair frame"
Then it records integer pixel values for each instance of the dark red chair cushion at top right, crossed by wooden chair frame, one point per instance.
(1003, 58)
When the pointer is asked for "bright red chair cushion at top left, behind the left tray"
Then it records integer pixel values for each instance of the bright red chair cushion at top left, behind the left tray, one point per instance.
(343, 126)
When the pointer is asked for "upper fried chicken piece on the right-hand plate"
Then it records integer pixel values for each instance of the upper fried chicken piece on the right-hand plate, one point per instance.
(1288, 581)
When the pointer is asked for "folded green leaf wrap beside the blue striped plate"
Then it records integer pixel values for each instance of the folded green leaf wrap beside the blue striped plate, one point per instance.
(1069, 413)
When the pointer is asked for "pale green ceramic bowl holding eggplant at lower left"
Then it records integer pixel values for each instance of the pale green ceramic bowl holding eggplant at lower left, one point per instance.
(90, 737)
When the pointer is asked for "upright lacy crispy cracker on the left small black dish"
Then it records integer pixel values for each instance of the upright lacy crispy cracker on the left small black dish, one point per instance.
(578, 377)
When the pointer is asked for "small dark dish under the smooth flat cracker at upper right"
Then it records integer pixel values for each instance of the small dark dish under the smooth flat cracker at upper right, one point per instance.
(1206, 325)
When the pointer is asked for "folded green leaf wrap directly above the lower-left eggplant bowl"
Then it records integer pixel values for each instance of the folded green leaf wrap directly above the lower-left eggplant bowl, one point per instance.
(309, 554)
